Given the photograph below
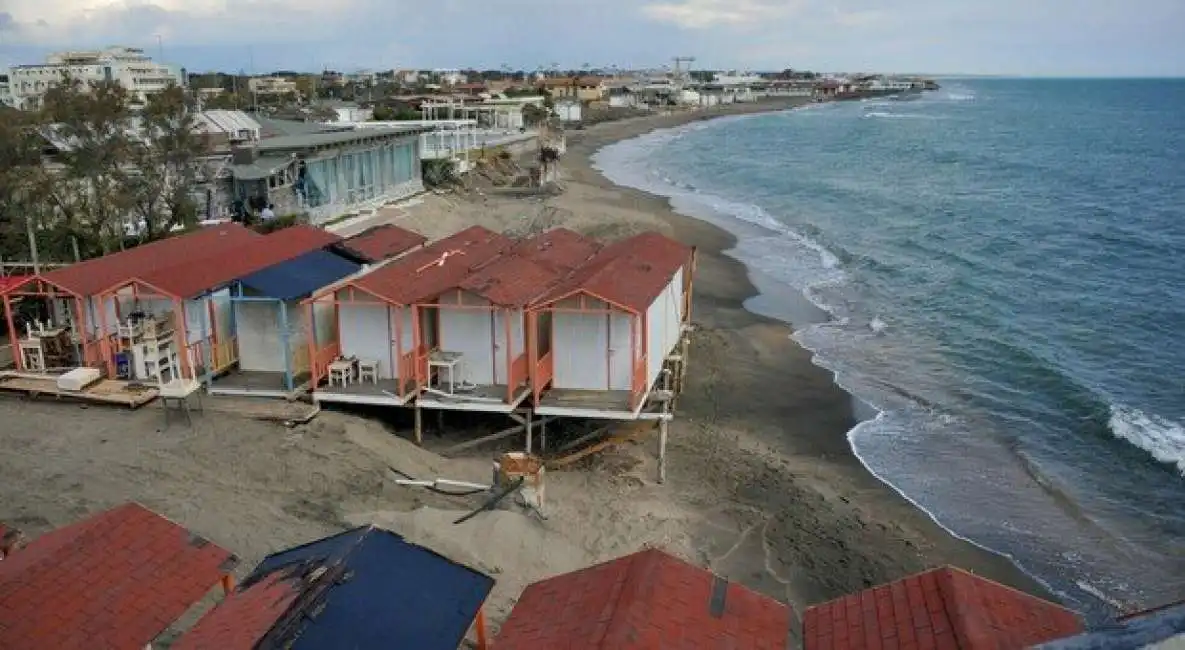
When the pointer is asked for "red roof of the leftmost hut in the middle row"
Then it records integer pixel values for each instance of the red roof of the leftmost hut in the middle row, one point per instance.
(93, 276)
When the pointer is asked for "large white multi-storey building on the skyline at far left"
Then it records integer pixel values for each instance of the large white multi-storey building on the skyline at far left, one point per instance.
(127, 66)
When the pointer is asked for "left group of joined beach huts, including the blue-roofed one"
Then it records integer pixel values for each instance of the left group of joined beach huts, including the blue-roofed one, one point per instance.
(220, 307)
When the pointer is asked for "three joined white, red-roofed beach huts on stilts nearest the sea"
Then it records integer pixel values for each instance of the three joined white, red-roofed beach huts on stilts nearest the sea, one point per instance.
(479, 321)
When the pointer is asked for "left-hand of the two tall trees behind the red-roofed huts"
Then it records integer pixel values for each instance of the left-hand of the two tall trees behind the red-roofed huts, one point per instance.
(89, 127)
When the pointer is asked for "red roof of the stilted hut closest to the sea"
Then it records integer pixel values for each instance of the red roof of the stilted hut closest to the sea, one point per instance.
(630, 273)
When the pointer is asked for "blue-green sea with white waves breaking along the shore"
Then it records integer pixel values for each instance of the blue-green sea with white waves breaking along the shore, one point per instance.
(996, 271)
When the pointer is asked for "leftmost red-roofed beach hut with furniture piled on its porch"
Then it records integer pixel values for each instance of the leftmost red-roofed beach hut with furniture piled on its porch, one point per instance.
(74, 311)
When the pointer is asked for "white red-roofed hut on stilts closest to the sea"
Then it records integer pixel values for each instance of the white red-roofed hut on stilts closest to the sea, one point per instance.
(605, 333)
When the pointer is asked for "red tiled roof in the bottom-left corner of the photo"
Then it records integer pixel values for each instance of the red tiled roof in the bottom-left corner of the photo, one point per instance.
(114, 581)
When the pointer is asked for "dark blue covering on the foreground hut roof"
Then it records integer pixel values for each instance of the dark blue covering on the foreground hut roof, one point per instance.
(394, 596)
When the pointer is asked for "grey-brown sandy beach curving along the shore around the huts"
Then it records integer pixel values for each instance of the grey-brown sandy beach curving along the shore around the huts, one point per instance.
(763, 486)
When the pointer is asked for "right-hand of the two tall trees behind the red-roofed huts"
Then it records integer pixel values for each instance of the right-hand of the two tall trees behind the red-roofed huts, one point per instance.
(164, 156)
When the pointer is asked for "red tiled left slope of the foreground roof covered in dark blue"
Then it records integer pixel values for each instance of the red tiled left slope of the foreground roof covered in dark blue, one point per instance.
(244, 619)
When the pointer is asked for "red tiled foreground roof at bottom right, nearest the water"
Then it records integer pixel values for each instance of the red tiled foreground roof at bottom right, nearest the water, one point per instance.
(945, 609)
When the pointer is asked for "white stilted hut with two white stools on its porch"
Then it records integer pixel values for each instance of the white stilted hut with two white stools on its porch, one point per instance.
(380, 330)
